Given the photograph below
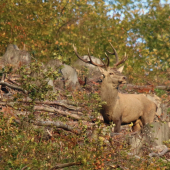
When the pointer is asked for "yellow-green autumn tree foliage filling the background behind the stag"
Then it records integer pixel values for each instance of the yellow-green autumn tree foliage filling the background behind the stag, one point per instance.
(49, 28)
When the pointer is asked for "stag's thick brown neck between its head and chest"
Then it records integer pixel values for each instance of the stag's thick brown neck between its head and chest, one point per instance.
(109, 94)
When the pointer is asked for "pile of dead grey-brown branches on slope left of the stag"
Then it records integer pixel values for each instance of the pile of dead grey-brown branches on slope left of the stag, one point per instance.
(56, 109)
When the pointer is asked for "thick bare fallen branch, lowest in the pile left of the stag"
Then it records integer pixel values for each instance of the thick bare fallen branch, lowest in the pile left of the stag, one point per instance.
(57, 124)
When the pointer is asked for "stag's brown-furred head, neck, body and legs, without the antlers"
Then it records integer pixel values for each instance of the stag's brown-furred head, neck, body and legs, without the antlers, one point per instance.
(124, 108)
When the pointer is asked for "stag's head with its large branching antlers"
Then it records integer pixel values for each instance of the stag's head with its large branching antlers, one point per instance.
(111, 75)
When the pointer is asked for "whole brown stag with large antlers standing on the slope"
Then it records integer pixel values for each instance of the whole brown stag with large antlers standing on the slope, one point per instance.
(120, 108)
